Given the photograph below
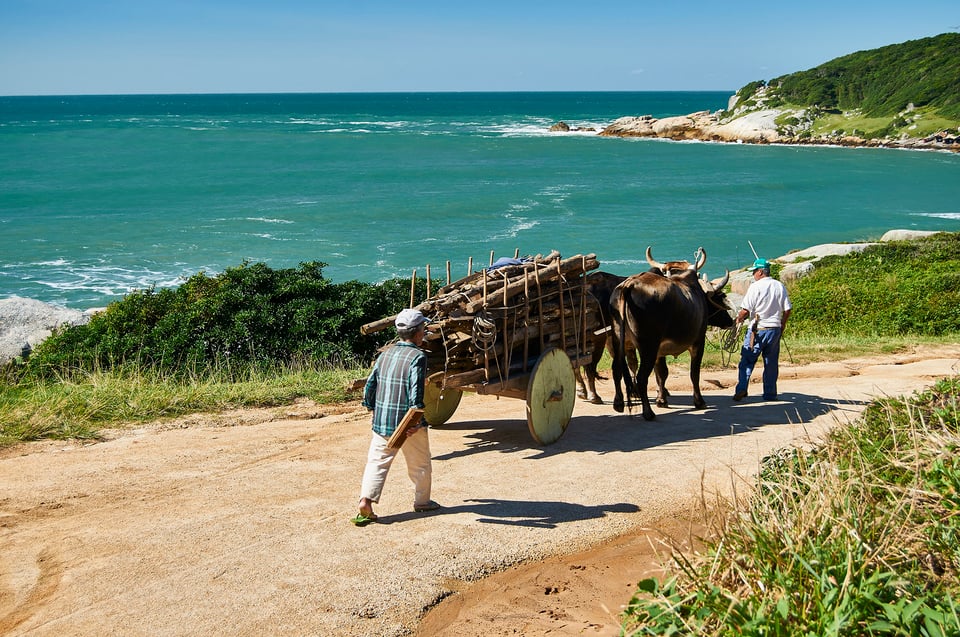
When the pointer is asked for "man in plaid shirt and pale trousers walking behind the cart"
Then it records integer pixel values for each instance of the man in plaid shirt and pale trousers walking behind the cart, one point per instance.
(396, 385)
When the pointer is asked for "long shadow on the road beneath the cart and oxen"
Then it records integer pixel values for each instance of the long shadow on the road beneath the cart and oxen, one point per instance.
(625, 432)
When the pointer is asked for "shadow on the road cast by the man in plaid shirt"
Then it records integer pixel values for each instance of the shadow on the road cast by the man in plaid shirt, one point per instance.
(529, 513)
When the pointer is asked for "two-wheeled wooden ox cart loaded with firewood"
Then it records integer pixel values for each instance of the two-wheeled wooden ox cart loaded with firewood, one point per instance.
(518, 329)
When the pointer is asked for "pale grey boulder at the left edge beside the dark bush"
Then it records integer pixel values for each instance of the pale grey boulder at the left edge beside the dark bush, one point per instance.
(24, 323)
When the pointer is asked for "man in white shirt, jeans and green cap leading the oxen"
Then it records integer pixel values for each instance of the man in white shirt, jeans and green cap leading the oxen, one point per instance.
(766, 300)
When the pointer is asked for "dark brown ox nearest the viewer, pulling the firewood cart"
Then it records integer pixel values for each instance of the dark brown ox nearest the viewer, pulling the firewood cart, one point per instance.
(664, 314)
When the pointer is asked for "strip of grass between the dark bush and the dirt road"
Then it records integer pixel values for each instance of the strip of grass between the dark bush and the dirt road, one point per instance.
(78, 405)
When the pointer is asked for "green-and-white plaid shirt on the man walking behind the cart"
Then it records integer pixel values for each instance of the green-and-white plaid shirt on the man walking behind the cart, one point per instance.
(395, 385)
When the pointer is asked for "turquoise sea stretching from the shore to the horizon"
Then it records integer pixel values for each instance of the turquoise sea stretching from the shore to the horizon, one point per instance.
(99, 195)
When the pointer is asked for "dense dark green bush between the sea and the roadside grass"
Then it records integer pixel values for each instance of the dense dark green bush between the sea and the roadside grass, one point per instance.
(250, 315)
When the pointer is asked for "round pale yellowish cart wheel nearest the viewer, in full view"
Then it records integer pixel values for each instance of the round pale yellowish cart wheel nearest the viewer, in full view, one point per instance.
(551, 393)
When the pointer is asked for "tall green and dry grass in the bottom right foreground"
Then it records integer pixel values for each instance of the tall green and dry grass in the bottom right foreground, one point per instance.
(859, 536)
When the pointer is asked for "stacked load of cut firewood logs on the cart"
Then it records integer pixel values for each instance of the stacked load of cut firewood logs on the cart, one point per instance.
(494, 324)
